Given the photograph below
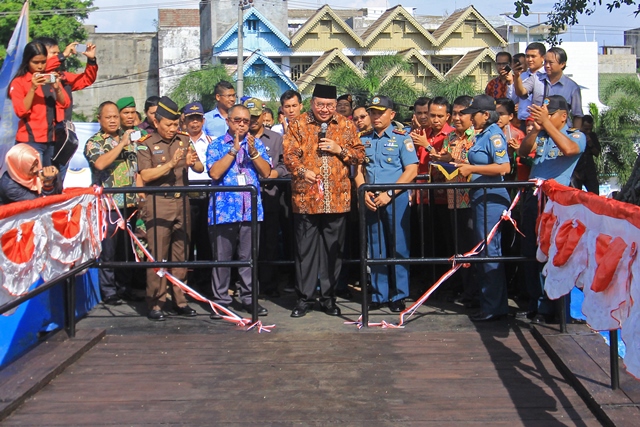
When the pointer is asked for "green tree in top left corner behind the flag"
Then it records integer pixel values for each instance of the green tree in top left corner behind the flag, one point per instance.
(59, 19)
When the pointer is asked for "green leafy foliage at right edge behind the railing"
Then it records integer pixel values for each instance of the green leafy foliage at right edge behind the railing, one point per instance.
(618, 128)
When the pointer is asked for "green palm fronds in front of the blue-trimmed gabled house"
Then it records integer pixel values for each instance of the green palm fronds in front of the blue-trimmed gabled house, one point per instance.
(199, 86)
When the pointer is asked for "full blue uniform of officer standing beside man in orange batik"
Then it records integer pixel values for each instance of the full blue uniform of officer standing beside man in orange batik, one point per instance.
(387, 156)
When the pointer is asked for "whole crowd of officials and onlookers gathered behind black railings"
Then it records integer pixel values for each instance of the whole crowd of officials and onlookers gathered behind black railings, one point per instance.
(526, 126)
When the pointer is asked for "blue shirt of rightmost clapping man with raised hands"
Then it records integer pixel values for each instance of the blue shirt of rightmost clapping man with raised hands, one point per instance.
(550, 163)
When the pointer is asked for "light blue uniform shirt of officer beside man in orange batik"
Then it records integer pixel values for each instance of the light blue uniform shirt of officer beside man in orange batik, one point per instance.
(387, 155)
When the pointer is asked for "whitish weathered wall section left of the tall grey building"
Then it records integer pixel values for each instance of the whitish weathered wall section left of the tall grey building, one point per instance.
(178, 53)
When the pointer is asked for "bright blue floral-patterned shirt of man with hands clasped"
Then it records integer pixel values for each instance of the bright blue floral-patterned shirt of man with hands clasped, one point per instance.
(234, 207)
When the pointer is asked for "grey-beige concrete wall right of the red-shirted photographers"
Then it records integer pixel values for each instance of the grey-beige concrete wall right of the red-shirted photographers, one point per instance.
(127, 66)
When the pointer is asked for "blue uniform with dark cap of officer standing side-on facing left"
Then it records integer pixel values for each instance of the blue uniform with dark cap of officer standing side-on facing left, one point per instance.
(490, 147)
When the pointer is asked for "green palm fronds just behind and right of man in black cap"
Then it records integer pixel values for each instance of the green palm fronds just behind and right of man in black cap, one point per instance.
(375, 80)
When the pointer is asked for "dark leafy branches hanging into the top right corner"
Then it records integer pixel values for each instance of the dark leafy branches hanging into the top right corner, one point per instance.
(567, 12)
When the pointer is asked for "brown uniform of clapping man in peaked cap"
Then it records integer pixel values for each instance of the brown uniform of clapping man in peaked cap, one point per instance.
(168, 221)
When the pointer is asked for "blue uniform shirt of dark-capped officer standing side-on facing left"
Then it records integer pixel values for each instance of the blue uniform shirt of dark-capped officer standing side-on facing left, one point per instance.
(490, 147)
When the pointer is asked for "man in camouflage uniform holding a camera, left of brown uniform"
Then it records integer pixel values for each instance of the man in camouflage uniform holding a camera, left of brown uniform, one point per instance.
(113, 161)
